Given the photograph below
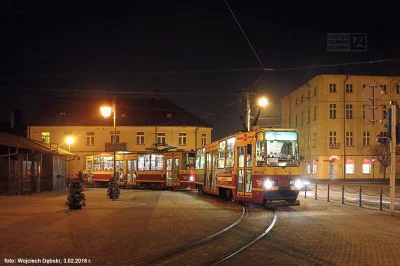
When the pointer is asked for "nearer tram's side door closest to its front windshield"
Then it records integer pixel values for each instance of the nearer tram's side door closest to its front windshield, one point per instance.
(244, 163)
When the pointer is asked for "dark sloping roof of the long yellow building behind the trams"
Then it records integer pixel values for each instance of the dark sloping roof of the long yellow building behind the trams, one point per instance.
(129, 112)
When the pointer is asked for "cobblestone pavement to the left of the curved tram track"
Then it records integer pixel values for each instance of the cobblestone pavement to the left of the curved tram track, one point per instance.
(140, 224)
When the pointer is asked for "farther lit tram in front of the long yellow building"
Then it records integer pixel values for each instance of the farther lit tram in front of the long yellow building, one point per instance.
(163, 170)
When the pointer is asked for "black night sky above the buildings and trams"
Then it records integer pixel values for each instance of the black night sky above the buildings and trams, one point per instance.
(145, 46)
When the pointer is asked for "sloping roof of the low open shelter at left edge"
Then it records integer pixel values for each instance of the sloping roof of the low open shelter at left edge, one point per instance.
(15, 141)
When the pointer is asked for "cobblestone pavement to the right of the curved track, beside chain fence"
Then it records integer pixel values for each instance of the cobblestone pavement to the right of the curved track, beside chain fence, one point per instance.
(321, 233)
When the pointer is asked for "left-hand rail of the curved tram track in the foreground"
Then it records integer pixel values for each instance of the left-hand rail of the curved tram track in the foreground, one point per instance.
(182, 248)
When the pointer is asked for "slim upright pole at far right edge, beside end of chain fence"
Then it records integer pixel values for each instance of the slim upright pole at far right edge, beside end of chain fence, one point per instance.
(393, 105)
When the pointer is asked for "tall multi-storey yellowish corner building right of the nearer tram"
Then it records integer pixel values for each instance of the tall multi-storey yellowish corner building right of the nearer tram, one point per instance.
(331, 113)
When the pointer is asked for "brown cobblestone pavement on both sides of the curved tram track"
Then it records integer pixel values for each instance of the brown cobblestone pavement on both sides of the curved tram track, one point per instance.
(144, 223)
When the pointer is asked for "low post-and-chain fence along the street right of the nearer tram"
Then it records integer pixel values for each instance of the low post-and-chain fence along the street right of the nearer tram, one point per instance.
(343, 199)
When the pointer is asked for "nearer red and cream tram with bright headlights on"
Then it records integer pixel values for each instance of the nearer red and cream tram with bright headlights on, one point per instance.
(260, 166)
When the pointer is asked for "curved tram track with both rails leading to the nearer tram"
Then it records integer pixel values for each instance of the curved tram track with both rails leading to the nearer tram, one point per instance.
(194, 249)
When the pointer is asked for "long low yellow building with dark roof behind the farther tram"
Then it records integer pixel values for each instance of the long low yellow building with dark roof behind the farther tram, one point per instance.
(140, 123)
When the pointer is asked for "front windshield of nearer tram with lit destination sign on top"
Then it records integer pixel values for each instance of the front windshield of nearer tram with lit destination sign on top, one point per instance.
(282, 148)
